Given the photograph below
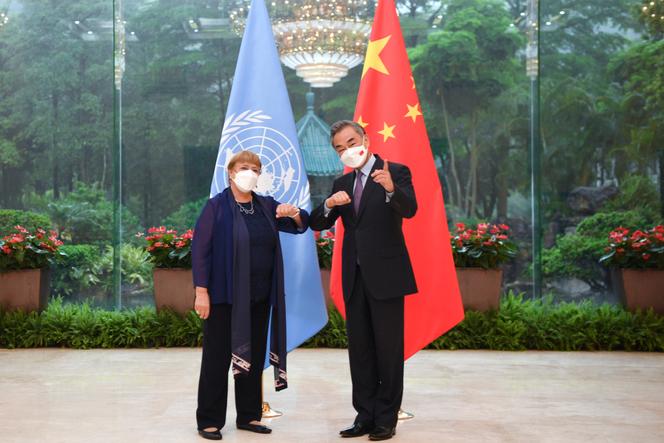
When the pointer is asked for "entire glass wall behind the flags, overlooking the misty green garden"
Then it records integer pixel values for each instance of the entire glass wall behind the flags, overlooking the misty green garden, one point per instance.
(111, 126)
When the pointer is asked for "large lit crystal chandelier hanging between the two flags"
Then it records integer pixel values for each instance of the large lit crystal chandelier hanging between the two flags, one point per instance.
(320, 39)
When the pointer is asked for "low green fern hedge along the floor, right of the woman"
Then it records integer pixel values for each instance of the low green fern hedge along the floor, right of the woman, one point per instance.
(537, 325)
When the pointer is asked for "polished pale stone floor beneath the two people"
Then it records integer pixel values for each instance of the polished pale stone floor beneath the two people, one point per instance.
(57, 395)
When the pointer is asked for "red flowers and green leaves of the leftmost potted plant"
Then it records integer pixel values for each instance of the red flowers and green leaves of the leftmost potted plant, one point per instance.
(25, 249)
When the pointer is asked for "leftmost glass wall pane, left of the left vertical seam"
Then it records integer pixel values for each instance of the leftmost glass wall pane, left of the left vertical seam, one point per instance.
(56, 134)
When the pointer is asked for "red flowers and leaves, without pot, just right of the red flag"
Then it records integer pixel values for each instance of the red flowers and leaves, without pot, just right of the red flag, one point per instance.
(483, 246)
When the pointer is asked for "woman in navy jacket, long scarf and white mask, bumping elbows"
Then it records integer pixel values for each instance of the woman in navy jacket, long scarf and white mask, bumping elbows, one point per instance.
(238, 275)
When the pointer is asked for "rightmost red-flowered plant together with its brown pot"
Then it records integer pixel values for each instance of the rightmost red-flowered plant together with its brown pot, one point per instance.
(636, 259)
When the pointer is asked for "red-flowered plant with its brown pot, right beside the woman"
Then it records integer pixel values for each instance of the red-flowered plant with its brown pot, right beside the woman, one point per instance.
(170, 254)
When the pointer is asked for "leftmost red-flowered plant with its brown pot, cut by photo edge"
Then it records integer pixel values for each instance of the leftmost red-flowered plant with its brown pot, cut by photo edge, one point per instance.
(25, 257)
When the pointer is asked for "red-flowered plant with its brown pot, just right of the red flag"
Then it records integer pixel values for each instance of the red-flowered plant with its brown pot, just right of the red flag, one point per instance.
(478, 253)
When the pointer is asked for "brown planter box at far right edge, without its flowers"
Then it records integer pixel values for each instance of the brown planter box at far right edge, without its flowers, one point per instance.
(640, 288)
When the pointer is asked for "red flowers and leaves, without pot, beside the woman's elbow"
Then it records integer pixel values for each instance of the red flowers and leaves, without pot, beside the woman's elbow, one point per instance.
(167, 248)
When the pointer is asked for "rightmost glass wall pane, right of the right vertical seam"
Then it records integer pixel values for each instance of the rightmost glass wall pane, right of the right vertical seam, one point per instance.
(601, 132)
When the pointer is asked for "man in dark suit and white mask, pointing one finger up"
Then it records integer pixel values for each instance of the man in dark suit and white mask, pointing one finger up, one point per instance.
(372, 202)
